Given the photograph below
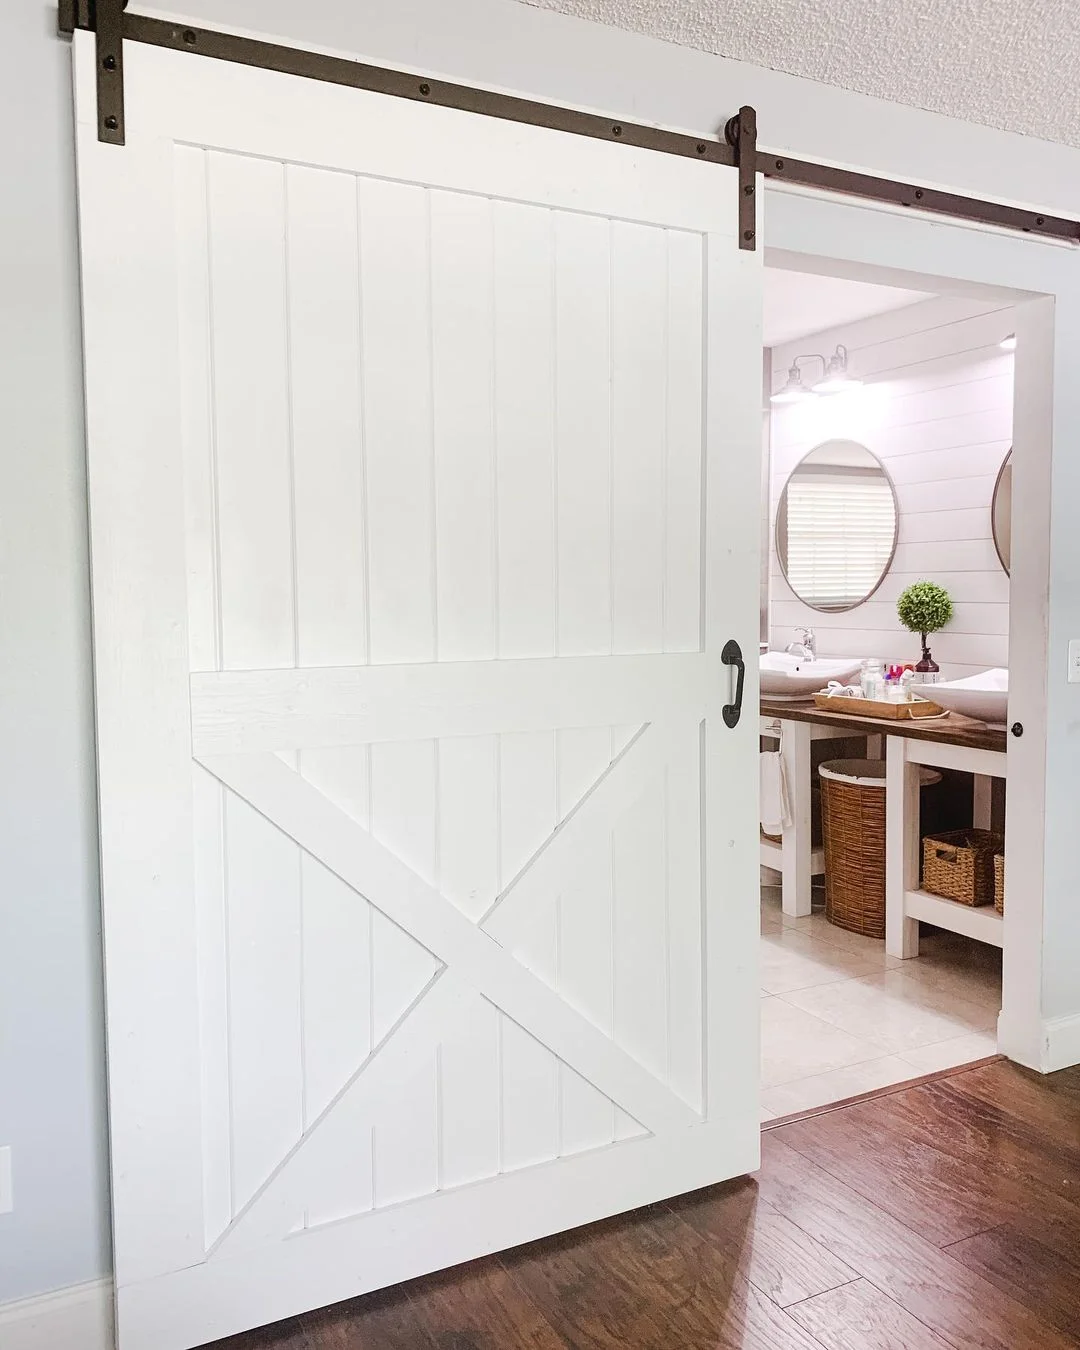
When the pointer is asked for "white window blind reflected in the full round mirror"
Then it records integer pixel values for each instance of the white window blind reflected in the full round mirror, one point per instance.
(840, 534)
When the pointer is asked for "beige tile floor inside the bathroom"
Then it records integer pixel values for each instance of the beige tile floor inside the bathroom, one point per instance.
(839, 1017)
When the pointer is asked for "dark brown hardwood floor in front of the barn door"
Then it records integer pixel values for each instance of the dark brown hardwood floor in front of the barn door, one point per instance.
(942, 1216)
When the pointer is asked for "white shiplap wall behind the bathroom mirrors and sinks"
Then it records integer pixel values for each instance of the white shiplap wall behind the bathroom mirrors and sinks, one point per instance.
(938, 411)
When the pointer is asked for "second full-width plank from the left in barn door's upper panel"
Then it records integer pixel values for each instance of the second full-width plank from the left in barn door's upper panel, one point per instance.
(325, 353)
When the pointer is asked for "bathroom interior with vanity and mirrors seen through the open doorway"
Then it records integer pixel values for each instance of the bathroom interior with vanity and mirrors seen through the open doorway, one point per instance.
(888, 462)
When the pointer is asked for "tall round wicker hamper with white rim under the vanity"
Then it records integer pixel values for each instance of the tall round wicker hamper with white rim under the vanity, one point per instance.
(854, 815)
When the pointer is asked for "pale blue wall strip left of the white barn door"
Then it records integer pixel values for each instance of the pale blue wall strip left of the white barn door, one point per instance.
(52, 1074)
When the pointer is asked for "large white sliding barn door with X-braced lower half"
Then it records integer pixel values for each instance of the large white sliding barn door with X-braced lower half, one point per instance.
(425, 476)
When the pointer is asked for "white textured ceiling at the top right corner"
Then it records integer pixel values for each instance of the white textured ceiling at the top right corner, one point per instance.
(1008, 64)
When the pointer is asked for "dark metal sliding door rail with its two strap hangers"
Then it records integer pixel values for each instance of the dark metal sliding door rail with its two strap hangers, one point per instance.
(113, 28)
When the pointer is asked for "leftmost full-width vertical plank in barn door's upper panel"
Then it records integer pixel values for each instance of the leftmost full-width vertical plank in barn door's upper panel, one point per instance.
(246, 205)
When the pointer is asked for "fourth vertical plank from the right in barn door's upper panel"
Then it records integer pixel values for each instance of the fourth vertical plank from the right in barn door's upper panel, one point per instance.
(524, 303)
